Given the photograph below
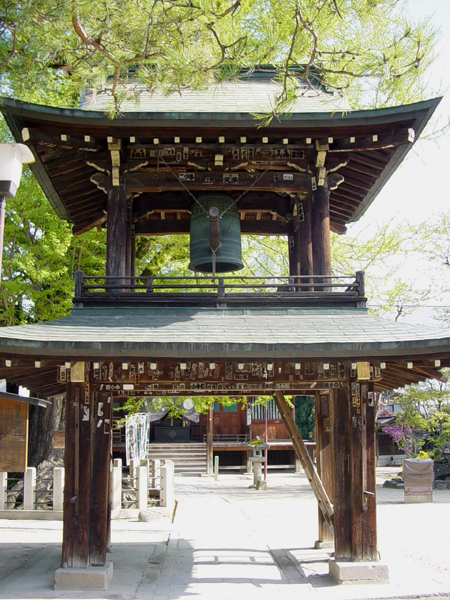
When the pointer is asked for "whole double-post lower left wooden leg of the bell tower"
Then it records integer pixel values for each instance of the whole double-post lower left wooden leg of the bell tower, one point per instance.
(87, 463)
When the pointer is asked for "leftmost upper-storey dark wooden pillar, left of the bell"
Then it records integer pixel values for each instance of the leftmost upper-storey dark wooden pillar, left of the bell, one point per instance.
(116, 238)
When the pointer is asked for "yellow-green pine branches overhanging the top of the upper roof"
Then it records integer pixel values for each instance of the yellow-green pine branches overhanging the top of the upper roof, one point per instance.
(365, 49)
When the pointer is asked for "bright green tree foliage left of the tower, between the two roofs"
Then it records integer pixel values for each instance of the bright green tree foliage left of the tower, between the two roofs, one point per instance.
(40, 257)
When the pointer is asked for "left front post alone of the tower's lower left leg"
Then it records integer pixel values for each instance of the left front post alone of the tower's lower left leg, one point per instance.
(76, 518)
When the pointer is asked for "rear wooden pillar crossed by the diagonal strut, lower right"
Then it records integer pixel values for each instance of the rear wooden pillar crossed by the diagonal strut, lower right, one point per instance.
(324, 453)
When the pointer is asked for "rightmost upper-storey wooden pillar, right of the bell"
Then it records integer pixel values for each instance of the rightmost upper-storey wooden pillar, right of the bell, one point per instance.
(320, 229)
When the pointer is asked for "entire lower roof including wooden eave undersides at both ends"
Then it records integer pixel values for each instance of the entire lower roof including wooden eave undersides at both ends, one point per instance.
(181, 334)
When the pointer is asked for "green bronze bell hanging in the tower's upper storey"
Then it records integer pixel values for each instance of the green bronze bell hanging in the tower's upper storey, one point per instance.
(215, 241)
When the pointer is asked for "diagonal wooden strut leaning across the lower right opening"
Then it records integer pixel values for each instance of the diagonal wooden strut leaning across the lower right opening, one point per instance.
(302, 453)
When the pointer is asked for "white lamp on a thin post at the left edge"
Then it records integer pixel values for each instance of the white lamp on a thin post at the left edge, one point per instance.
(12, 156)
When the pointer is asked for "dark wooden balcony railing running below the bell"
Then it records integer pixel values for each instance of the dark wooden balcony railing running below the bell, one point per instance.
(317, 290)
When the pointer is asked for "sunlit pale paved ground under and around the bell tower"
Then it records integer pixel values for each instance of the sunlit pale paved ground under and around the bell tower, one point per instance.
(231, 542)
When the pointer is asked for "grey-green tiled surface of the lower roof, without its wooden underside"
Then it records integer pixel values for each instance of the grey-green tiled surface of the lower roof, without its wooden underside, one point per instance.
(171, 332)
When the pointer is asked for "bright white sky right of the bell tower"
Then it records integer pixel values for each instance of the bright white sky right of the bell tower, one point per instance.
(418, 190)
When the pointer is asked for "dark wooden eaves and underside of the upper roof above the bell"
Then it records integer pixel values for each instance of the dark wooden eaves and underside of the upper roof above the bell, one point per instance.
(71, 146)
